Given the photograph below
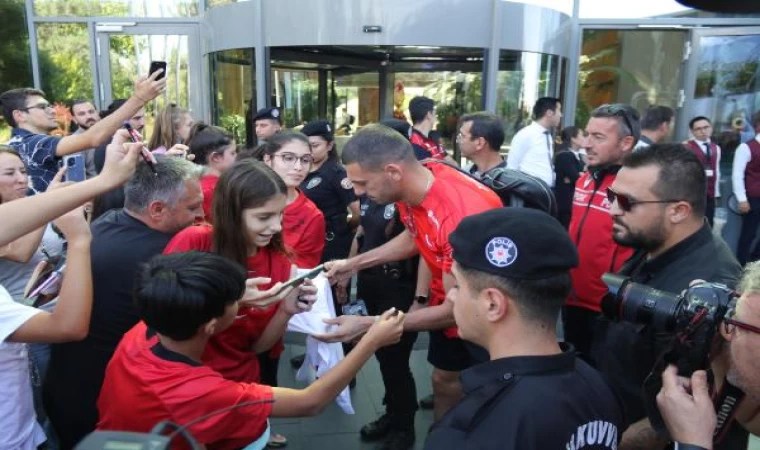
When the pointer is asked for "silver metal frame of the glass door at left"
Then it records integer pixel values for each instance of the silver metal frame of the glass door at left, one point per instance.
(102, 34)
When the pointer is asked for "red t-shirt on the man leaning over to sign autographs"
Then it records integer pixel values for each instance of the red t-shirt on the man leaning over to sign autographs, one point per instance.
(452, 197)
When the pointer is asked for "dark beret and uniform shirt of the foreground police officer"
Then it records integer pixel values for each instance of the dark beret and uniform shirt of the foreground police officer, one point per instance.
(524, 402)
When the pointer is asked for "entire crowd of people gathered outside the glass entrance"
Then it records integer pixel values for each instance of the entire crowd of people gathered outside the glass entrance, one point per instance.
(155, 290)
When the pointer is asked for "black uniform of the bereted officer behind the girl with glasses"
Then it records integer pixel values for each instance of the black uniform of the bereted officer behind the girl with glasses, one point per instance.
(331, 190)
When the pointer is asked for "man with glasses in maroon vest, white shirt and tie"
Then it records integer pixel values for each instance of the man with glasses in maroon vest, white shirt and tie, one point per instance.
(708, 154)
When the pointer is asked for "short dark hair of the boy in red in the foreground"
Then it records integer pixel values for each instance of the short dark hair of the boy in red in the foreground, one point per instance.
(176, 294)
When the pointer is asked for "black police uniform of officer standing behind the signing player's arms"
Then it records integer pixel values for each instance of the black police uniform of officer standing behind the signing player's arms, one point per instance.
(384, 287)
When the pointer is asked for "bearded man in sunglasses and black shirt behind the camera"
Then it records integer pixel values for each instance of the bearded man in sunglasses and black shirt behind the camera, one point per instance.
(657, 203)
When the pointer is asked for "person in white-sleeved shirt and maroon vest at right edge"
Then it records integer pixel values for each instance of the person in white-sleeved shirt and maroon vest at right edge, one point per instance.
(745, 178)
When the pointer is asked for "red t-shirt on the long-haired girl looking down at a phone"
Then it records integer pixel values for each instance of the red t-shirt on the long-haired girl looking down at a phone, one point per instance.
(231, 351)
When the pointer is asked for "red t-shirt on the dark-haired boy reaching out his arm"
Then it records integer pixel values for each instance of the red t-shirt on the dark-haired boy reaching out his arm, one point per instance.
(145, 383)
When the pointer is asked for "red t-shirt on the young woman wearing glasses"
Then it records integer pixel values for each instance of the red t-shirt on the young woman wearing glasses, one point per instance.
(303, 230)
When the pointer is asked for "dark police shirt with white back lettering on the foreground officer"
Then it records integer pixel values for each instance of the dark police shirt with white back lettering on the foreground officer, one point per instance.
(531, 402)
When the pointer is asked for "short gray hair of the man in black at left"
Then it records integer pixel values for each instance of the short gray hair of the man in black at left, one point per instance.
(167, 185)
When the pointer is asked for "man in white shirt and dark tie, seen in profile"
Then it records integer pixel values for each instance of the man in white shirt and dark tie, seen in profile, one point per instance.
(532, 148)
